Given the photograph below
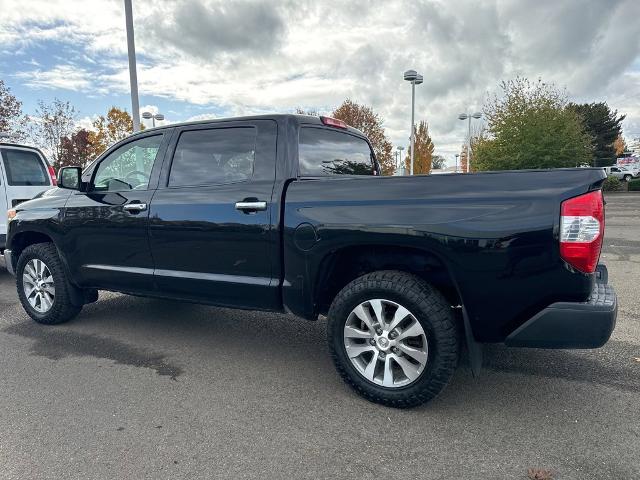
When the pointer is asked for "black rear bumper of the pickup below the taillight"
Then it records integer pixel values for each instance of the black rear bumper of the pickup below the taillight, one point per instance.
(571, 325)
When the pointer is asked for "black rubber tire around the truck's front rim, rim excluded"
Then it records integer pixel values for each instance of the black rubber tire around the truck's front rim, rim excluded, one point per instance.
(62, 308)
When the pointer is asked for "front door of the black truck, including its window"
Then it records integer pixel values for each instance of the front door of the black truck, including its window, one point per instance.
(106, 228)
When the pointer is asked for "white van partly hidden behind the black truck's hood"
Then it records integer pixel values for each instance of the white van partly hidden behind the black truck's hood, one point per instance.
(24, 173)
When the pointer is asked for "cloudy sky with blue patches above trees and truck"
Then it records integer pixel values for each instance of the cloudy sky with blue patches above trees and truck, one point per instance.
(208, 58)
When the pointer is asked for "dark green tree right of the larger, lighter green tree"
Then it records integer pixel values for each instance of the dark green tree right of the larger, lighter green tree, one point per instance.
(604, 125)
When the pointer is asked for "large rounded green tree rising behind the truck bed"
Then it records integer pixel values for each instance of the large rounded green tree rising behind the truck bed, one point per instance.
(530, 126)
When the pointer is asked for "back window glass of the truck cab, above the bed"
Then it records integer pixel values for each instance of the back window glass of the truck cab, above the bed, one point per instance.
(328, 152)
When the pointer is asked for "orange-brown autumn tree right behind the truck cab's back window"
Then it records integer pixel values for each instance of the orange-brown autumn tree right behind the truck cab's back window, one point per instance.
(366, 120)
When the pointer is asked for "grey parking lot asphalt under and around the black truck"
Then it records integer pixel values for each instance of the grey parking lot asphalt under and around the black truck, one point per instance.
(141, 388)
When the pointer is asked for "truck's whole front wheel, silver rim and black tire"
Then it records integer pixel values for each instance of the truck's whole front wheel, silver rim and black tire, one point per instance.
(42, 286)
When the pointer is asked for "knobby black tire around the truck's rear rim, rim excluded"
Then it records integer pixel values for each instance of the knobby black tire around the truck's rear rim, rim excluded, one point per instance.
(430, 309)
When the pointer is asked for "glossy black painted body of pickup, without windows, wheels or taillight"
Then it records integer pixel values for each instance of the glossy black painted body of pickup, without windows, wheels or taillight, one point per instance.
(495, 234)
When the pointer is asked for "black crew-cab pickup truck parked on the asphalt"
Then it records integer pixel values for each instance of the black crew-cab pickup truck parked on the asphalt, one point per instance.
(289, 213)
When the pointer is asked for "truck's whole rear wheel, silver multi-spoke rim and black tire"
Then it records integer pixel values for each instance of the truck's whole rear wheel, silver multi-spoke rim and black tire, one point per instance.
(393, 338)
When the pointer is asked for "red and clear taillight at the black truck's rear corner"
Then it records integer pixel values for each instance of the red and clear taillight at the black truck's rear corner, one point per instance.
(581, 230)
